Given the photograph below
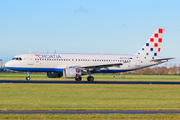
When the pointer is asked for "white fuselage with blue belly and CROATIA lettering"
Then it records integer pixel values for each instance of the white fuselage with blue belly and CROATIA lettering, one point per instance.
(46, 62)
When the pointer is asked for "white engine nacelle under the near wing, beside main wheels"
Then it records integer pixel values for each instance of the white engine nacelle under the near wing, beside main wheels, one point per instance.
(72, 72)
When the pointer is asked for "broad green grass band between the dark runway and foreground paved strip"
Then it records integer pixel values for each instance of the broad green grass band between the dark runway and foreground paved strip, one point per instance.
(89, 97)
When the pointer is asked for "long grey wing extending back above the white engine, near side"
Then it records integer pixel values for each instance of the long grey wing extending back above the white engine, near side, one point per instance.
(97, 66)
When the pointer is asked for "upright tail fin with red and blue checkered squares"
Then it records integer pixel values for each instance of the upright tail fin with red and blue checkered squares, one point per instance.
(153, 46)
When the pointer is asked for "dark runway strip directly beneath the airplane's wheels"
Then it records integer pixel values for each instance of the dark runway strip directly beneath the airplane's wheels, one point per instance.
(86, 82)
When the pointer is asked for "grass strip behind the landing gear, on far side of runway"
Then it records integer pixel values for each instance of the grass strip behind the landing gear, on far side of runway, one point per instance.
(98, 77)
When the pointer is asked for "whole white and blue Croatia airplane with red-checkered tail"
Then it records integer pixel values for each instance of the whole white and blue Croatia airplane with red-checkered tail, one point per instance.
(75, 65)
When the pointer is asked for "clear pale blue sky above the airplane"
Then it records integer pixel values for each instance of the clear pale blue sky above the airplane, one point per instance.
(81, 26)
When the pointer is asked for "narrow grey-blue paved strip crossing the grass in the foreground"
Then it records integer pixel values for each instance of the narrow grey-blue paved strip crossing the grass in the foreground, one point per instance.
(89, 112)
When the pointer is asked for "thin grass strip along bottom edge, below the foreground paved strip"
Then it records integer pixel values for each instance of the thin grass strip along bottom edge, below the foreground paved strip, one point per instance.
(92, 116)
